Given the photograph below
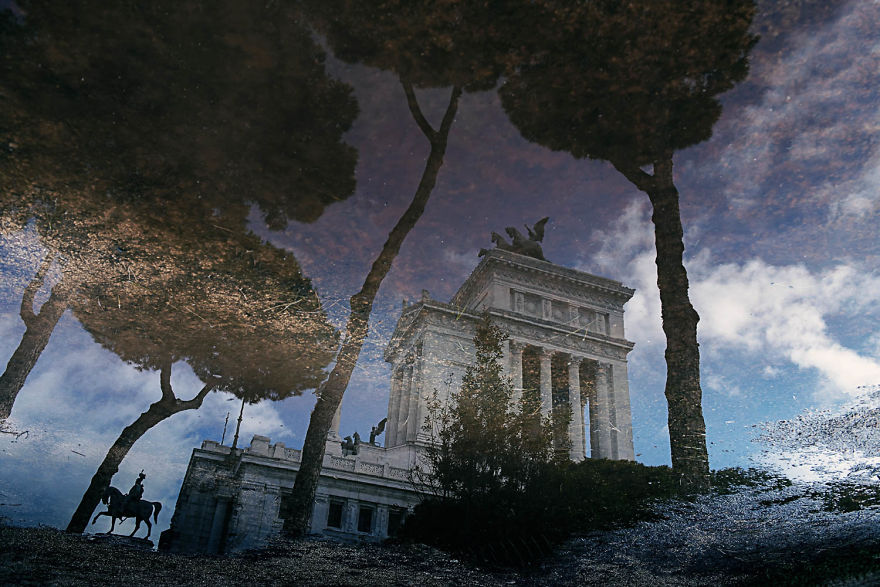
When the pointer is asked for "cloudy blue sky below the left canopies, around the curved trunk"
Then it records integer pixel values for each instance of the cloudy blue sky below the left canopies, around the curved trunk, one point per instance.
(74, 406)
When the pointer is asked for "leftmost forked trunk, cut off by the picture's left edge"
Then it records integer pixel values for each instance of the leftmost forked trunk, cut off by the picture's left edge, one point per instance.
(39, 328)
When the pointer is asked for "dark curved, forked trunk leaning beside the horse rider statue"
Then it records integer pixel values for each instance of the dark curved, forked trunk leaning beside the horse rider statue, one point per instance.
(157, 412)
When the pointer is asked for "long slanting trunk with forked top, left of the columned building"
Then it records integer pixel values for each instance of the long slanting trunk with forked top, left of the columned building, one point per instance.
(297, 509)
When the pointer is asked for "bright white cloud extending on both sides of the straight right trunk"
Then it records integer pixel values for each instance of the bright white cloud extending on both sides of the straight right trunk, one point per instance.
(777, 313)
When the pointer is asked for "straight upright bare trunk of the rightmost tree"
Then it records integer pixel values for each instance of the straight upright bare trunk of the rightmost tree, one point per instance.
(687, 429)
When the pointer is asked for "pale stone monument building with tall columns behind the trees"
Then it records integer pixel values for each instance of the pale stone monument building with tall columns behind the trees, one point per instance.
(566, 344)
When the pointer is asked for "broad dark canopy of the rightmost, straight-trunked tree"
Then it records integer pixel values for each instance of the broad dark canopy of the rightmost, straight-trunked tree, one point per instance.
(630, 82)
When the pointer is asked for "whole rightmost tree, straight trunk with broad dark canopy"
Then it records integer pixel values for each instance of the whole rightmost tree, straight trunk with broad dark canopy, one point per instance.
(632, 83)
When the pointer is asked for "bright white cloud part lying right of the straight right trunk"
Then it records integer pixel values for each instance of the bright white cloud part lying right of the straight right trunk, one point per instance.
(781, 311)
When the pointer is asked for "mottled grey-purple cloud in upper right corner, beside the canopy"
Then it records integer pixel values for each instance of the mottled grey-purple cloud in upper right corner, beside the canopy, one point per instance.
(816, 117)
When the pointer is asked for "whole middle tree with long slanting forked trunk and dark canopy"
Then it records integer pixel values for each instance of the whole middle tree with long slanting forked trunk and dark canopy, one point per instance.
(427, 45)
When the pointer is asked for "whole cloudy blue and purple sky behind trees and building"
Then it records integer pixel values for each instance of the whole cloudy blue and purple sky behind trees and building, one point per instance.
(779, 208)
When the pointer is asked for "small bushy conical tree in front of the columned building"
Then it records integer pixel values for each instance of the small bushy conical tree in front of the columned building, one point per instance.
(485, 446)
